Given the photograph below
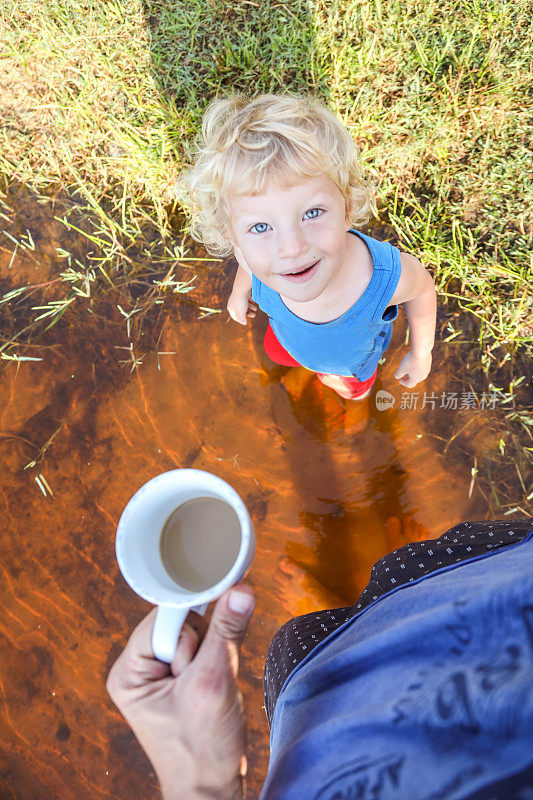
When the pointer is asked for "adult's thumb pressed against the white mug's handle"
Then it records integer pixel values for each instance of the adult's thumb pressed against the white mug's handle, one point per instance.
(227, 627)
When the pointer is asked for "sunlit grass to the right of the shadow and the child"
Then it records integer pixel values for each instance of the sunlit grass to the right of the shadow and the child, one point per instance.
(437, 95)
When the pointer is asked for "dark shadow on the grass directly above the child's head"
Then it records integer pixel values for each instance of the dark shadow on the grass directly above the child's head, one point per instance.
(199, 49)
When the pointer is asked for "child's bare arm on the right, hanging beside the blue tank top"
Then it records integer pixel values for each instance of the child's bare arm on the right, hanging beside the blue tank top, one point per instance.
(416, 292)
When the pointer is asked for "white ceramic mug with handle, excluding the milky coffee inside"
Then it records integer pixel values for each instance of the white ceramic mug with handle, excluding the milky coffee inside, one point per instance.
(138, 553)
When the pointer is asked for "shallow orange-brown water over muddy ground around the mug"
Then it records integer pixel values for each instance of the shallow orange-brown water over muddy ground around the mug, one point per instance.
(315, 492)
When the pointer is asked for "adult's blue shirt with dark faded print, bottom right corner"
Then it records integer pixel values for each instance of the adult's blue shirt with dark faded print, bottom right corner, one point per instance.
(424, 694)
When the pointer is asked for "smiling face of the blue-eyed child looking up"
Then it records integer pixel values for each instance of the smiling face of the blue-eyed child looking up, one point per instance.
(292, 237)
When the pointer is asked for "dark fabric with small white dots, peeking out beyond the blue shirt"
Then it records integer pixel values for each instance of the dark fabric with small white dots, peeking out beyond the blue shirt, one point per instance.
(295, 640)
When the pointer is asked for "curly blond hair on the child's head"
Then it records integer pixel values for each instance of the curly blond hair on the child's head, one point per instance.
(246, 143)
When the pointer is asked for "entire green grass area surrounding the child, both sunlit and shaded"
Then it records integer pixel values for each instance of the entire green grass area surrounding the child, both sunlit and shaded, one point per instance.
(103, 101)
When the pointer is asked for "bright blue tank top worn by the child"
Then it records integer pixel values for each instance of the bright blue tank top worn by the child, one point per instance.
(353, 343)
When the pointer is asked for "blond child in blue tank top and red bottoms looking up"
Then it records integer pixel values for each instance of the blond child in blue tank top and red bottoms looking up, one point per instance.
(276, 183)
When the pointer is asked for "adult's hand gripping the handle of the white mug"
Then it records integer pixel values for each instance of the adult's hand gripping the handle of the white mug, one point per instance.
(189, 716)
